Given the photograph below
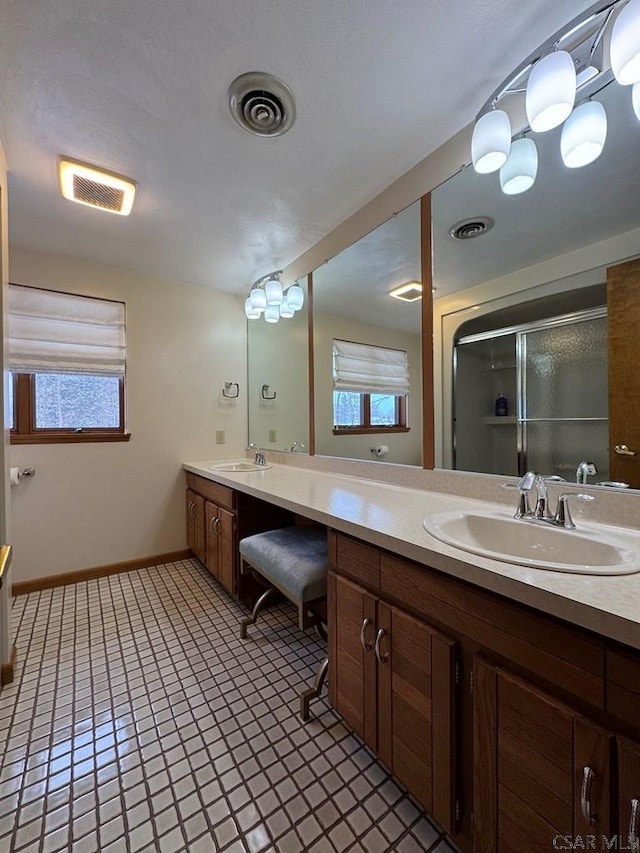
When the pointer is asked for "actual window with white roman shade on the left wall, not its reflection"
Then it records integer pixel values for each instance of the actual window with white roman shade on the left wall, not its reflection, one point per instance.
(67, 360)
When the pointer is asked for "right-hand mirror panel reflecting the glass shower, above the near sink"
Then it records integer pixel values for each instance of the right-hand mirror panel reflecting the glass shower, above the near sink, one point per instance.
(525, 325)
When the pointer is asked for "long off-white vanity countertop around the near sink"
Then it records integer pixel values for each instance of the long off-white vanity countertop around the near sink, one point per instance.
(391, 516)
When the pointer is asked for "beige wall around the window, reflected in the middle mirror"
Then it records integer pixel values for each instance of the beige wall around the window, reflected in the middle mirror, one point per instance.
(404, 448)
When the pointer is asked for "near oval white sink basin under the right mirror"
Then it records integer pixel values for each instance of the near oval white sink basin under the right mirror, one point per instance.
(593, 550)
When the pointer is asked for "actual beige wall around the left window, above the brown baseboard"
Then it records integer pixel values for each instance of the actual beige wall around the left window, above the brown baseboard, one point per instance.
(97, 504)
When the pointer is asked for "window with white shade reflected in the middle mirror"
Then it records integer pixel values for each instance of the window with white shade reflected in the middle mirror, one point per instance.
(370, 387)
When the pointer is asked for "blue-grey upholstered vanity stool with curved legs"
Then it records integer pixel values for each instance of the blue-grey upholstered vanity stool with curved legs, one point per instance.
(292, 560)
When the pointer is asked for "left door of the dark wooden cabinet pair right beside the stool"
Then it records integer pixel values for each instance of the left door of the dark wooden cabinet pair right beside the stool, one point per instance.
(352, 669)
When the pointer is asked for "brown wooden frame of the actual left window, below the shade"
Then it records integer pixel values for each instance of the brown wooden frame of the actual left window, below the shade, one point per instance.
(24, 427)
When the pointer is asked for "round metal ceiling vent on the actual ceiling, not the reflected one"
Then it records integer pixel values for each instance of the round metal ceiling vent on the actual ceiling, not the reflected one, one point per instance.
(261, 104)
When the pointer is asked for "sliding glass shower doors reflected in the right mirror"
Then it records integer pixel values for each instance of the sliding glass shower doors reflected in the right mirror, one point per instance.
(554, 375)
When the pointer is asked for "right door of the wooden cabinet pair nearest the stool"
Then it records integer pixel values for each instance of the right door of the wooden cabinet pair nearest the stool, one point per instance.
(416, 709)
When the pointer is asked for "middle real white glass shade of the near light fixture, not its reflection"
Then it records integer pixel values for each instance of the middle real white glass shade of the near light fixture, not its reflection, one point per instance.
(551, 91)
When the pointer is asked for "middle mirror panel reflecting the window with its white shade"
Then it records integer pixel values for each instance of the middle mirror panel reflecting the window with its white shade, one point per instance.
(352, 305)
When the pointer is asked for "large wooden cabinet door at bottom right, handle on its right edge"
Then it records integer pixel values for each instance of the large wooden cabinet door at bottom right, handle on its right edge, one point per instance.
(530, 757)
